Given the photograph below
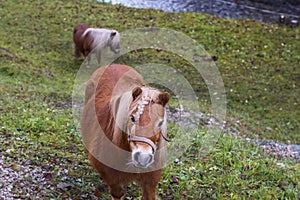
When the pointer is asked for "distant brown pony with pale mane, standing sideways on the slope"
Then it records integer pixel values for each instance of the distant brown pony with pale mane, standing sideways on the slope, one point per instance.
(87, 39)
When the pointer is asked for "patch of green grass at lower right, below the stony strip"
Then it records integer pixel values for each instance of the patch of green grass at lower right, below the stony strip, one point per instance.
(232, 170)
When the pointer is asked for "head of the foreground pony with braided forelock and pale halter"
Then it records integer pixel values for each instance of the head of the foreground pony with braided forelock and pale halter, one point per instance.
(146, 124)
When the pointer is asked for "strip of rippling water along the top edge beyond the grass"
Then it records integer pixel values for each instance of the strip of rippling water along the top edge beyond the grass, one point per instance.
(263, 10)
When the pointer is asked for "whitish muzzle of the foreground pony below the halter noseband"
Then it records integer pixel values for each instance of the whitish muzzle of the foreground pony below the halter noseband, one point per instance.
(142, 154)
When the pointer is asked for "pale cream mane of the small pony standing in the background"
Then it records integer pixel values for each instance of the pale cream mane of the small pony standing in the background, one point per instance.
(101, 36)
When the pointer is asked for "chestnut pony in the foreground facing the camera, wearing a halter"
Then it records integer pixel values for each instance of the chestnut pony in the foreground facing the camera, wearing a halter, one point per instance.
(124, 130)
